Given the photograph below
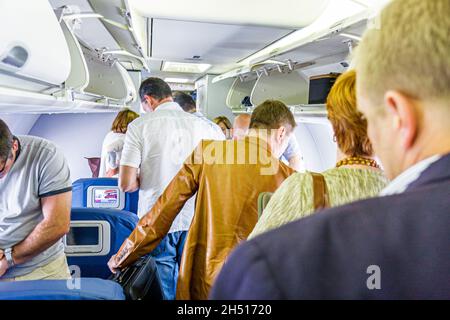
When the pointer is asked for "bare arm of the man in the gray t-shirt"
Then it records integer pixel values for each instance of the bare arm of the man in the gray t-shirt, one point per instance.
(56, 223)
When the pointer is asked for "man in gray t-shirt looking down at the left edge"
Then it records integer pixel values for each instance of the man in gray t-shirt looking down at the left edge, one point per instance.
(35, 201)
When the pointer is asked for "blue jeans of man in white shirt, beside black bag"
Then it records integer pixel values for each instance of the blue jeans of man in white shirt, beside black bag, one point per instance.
(168, 258)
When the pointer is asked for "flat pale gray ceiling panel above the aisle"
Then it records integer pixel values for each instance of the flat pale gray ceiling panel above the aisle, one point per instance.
(214, 43)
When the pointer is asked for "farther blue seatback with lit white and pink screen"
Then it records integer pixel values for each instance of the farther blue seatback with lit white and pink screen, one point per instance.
(103, 193)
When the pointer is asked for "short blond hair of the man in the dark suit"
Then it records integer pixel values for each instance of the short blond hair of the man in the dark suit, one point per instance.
(408, 50)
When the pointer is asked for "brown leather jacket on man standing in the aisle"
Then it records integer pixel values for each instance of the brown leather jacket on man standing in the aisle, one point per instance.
(228, 176)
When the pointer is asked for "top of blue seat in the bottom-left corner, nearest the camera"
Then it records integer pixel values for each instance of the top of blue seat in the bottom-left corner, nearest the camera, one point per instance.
(75, 289)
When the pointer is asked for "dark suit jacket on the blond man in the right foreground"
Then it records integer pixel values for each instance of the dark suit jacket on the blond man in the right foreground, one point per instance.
(331, 253)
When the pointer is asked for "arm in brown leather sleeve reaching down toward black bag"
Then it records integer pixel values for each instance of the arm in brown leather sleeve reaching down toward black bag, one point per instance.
(156, 223)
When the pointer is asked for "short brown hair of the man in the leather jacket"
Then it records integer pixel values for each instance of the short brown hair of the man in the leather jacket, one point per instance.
(272, 114)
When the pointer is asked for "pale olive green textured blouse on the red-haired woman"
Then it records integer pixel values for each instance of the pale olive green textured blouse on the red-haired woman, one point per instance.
(294, 198)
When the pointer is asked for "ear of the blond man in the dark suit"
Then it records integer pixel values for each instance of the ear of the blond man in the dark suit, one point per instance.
(404, 116)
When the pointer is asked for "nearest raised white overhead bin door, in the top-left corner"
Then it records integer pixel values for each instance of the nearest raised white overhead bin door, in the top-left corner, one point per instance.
(40, 54)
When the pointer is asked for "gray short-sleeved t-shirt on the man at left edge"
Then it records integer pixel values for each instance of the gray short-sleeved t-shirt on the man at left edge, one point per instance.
(40, 170)
